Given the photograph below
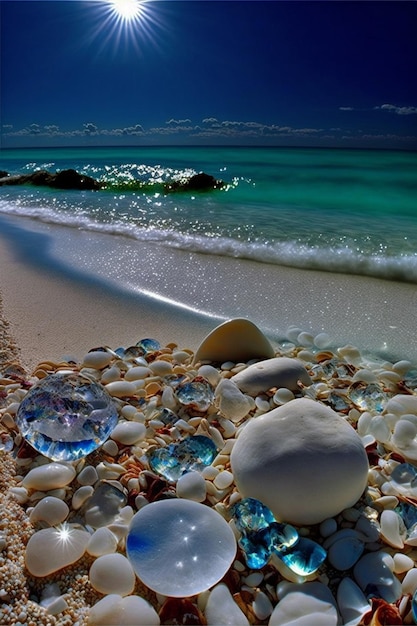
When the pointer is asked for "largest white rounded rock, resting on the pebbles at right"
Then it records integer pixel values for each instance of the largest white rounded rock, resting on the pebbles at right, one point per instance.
(302, 460)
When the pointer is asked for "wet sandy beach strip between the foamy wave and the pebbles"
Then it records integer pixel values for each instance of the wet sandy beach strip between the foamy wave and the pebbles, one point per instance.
(78, 289)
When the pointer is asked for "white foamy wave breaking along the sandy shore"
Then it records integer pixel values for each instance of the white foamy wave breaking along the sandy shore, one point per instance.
(291, 253)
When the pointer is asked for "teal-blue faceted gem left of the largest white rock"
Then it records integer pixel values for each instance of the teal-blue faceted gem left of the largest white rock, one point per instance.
(193, 453)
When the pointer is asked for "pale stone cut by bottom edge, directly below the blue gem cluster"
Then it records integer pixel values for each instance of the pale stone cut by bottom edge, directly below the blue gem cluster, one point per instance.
(307, 604)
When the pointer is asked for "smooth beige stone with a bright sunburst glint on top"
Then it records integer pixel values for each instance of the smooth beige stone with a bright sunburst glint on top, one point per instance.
(51, 549)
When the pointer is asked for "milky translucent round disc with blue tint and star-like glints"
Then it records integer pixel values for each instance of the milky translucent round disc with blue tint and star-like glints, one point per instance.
(179, 547)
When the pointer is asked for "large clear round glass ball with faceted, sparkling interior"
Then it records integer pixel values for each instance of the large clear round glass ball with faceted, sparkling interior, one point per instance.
(66, 416)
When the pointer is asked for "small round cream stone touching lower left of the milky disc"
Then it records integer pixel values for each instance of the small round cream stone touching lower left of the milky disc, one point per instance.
(112, 573)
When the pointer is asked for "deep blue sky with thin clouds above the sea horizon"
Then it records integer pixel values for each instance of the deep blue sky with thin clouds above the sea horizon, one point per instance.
(216, 71)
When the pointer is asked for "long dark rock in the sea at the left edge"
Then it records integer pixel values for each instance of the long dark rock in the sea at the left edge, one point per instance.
(67, 179)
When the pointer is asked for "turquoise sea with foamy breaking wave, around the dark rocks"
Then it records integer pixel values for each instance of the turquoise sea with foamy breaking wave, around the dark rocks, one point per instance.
(348, 211)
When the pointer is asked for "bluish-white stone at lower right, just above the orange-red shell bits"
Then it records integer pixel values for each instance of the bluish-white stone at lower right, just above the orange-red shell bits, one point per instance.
(376, 568)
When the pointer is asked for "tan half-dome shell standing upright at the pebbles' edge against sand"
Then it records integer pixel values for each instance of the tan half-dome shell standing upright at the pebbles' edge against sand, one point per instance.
(237, 340)
